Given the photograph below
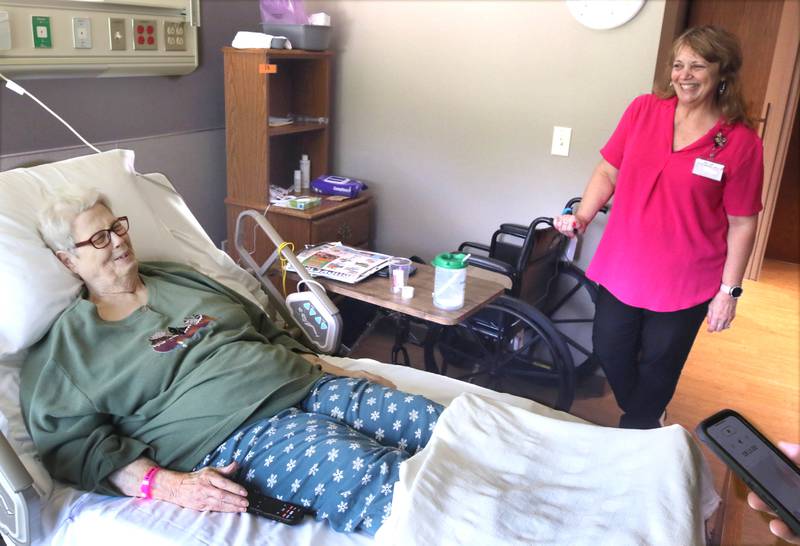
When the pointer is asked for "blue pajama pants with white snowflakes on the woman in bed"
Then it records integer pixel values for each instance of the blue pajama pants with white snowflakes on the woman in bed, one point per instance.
(338, 453)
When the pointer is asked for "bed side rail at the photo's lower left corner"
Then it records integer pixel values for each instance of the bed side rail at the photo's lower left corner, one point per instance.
(19, 502)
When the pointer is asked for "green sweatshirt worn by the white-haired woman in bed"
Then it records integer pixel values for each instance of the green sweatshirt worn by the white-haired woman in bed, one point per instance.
(170, 382)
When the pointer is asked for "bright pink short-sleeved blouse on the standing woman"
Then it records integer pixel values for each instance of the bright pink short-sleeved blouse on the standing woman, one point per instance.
(666, 240)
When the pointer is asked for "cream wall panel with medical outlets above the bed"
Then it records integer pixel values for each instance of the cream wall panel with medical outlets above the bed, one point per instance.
(80, 38)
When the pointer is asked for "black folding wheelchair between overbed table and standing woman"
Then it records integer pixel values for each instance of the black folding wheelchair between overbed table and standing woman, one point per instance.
(540, 329)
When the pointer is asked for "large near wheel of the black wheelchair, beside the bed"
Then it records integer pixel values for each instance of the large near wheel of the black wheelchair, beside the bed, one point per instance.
(507, 338)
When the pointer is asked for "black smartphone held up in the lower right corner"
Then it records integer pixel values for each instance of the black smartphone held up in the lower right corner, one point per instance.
(759, 463)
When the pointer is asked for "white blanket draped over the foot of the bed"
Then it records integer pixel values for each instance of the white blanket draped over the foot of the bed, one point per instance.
(498, 474)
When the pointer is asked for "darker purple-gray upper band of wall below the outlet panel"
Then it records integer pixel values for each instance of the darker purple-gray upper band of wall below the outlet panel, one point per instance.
(107, 109)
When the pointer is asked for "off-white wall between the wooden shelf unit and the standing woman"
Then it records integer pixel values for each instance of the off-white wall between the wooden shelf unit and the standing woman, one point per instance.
(447, 109)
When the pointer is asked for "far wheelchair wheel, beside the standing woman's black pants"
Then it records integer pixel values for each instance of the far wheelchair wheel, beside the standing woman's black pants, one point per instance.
(570, 307)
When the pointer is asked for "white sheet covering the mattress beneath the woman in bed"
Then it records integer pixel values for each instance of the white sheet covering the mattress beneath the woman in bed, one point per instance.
(73, 518)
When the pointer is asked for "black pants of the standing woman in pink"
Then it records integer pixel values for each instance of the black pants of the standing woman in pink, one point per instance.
(642, 353)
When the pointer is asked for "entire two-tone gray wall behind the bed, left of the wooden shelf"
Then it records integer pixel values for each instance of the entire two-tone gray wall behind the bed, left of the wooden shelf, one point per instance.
(175, 124)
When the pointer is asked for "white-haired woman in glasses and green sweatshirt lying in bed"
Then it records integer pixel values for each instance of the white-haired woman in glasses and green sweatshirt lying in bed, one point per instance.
(159, 382)
